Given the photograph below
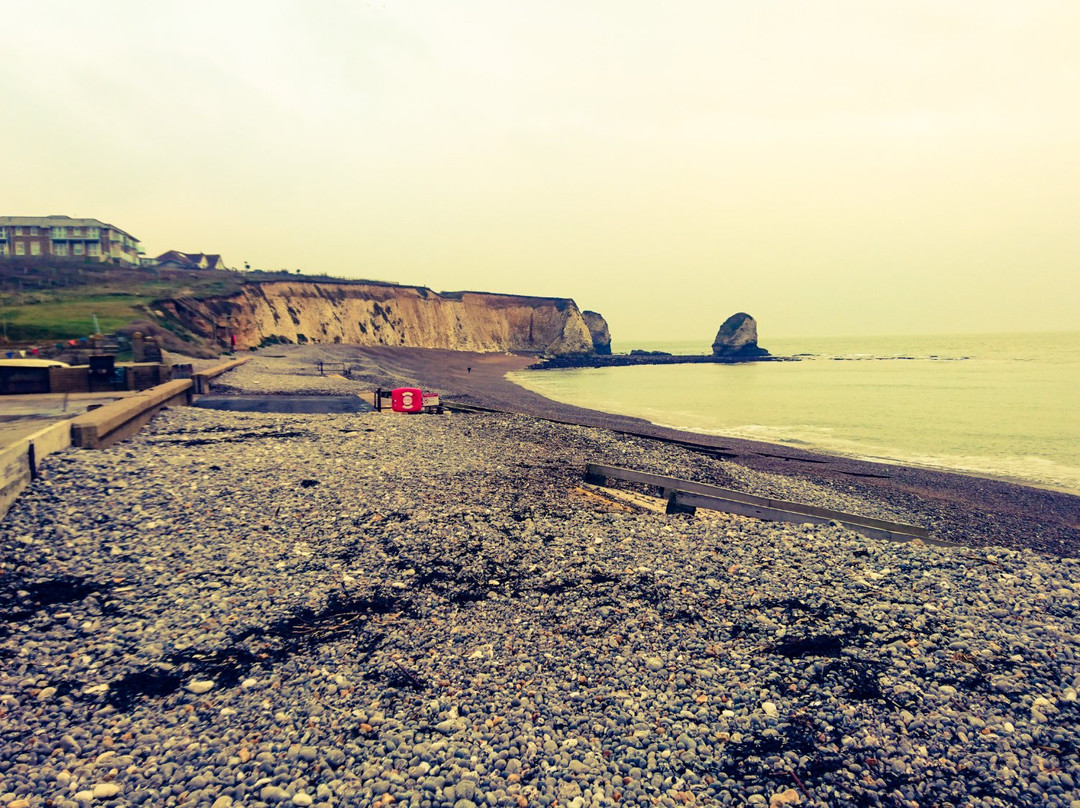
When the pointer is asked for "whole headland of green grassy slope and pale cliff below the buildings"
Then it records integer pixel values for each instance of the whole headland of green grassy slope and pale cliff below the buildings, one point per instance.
(219, 311)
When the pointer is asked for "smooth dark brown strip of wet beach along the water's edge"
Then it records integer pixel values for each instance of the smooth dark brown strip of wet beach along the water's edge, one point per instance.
(958, 507)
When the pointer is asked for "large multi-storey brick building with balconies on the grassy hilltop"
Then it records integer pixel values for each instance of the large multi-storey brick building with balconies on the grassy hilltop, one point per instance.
(63, 237)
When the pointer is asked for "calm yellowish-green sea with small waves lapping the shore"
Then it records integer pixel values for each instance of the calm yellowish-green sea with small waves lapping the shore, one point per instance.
(996, 406)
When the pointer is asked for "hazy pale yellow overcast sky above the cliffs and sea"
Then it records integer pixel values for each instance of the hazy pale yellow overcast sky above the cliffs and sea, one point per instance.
(833, 168)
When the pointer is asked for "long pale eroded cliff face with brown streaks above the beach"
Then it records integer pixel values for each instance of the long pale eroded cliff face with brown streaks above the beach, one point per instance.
(371, 314)
